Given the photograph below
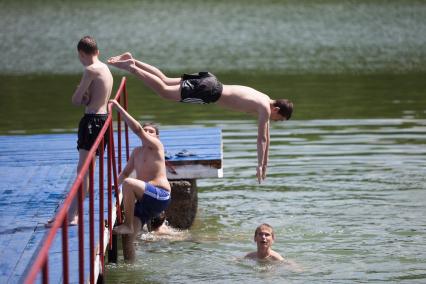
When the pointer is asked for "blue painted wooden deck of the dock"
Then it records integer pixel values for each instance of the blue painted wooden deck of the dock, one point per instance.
(36, 172)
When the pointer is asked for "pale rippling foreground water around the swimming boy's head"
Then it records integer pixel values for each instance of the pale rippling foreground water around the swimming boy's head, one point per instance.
(346, 197)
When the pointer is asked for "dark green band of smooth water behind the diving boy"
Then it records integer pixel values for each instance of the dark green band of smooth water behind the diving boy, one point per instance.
(42, 103)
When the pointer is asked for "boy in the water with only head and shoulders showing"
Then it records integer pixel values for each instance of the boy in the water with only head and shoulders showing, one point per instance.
(264, 237)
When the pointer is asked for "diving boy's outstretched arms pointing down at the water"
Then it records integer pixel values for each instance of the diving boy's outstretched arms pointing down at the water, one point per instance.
(262, 146)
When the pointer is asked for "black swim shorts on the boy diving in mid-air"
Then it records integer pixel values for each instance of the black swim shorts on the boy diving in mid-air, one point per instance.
(200, 88)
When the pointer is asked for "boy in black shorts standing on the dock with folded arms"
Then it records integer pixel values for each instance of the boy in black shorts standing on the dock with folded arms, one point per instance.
(93, 92)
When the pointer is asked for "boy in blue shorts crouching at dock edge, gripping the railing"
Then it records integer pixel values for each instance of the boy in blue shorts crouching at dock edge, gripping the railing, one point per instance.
(150, 190)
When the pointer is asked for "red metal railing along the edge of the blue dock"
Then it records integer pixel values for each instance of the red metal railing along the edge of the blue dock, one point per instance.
(41, 263)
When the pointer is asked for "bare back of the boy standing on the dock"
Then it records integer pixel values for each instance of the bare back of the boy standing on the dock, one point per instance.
(100, 88)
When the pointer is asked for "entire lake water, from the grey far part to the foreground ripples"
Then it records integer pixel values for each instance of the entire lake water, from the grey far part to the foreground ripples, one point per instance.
(346, 186)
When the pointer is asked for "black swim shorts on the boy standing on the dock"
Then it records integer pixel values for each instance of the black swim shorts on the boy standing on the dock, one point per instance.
(88, 129)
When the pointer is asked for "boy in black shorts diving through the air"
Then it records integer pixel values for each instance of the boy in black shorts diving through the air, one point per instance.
(204, 88)
